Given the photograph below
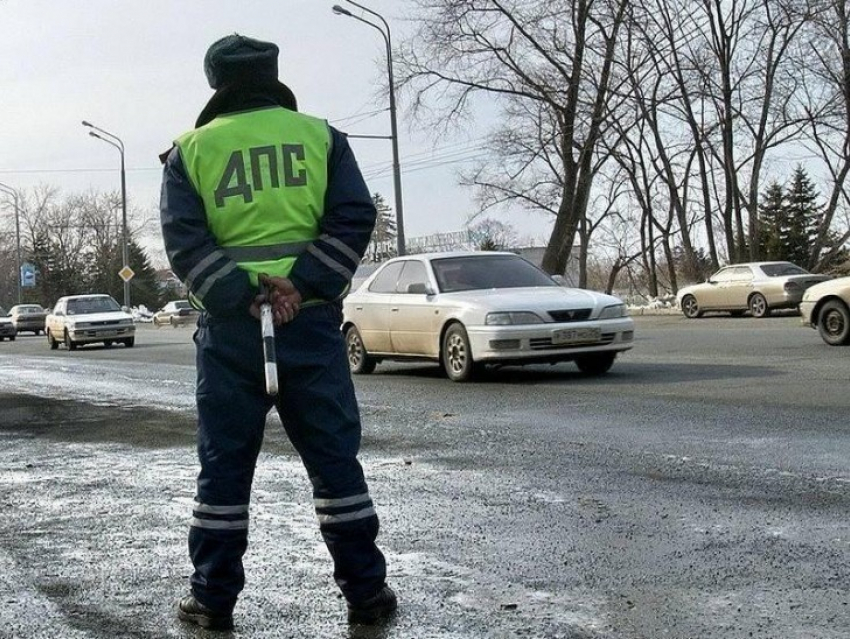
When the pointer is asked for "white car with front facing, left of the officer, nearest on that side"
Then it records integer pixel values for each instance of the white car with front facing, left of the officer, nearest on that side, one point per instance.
(84, 319)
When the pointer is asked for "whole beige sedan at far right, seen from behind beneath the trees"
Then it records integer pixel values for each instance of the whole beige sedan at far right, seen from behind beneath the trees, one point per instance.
(757, 287)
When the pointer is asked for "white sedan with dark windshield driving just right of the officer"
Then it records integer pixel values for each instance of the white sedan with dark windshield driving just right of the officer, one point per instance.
(466, 310)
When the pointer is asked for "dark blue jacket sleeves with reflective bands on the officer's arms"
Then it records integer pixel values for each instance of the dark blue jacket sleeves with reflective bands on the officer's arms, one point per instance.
(322, 273)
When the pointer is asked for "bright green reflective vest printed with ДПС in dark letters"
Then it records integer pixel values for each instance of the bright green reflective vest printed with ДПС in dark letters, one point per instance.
(262, 176)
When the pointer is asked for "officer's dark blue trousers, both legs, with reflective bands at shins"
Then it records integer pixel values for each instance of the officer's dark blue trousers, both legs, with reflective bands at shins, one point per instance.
(319, 411)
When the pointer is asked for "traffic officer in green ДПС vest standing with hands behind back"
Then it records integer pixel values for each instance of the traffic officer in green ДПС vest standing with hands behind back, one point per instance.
(258, 189)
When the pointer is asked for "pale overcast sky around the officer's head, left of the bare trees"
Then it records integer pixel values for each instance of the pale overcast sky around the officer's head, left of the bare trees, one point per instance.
(135, 68)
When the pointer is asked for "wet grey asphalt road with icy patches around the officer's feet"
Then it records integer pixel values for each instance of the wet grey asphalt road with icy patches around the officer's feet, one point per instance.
(698, 491)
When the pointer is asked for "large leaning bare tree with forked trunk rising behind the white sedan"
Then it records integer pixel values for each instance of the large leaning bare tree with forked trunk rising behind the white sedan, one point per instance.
(551, 65)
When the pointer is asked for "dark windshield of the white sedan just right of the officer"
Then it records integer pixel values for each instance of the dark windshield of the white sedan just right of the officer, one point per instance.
(475, 272)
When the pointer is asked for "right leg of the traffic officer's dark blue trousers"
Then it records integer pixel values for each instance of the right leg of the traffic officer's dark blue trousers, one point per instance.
(319, 411)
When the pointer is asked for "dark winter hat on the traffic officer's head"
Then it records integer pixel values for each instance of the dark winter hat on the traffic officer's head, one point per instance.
(236, 59)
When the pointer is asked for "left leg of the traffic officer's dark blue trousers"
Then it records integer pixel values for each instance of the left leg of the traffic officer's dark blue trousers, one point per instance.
(232, 408)
